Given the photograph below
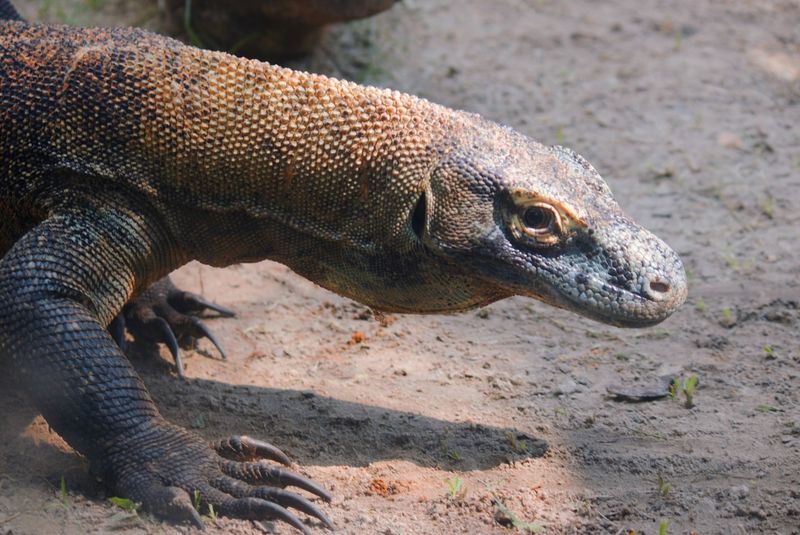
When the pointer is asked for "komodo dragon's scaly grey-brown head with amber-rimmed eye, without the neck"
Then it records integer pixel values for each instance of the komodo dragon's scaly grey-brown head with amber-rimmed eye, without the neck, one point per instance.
(526, 219)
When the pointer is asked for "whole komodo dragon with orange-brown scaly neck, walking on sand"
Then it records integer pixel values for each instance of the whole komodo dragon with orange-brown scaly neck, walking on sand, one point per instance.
(124, 154)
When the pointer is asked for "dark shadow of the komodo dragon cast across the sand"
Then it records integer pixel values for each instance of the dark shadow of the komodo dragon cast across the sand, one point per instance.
(311, 429)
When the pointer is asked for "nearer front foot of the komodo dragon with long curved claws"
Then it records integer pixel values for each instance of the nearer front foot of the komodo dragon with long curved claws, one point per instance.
(170, 471)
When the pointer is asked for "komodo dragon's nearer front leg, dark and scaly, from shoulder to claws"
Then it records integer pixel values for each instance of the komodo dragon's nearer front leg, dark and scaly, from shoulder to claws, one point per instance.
(60, 285)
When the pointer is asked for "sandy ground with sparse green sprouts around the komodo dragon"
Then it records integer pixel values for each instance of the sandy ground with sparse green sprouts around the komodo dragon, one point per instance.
(691, 111)
